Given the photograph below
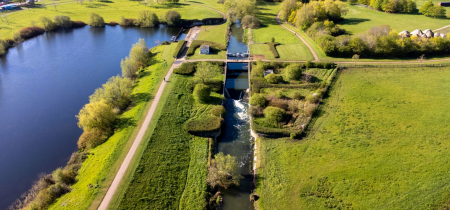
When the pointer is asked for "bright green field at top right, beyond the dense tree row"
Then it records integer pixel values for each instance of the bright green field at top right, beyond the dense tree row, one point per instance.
(360, 19)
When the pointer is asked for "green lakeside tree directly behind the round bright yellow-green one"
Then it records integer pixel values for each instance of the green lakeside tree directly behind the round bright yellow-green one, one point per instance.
(117, 92)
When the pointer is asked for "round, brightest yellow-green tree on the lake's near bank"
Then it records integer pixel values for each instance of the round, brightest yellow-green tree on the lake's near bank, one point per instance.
(98, 115)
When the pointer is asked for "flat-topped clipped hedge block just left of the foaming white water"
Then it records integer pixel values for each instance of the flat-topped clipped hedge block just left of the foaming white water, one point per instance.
(204, 125)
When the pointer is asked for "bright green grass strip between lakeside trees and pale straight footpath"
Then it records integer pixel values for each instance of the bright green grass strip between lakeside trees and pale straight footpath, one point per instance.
(103, 162)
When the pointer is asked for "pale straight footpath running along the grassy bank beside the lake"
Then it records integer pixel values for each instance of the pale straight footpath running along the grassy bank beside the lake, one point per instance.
(137, 141)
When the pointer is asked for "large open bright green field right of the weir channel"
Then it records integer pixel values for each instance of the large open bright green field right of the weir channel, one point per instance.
(379, 142)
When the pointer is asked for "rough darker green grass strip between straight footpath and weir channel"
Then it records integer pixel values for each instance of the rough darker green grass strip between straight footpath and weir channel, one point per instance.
(172, 170)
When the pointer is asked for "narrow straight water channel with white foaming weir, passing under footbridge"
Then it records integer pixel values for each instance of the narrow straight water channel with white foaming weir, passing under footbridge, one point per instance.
(236, 139)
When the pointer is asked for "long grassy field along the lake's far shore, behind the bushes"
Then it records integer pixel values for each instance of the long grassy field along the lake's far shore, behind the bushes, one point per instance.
(110, 10)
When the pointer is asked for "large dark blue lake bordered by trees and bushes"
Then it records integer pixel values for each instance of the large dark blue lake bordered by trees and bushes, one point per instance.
(44, 82)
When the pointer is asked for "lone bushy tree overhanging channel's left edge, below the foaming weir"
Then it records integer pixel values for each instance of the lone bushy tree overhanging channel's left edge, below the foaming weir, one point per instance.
(224, 171)
